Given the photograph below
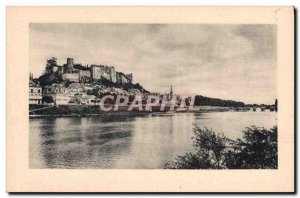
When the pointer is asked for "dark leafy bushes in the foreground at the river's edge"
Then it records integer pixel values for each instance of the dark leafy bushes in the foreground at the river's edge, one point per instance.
(257, 150)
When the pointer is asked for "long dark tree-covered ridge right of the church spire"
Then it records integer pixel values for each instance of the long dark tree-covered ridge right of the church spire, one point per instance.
(206, 101)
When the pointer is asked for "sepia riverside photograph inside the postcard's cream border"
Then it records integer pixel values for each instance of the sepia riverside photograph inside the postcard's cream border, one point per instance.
(153, 96)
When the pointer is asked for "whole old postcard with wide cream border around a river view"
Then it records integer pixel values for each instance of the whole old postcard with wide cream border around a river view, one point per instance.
(150, 99)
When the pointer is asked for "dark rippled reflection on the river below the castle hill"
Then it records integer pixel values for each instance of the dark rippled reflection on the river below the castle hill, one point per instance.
(94, 147)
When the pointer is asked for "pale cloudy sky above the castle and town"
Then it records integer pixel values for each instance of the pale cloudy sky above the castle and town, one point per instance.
(234, 62)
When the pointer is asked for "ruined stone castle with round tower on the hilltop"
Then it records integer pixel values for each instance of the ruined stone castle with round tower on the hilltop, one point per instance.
(76, 72)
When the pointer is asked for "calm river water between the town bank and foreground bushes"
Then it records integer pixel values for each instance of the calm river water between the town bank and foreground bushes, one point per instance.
(128, 141)
